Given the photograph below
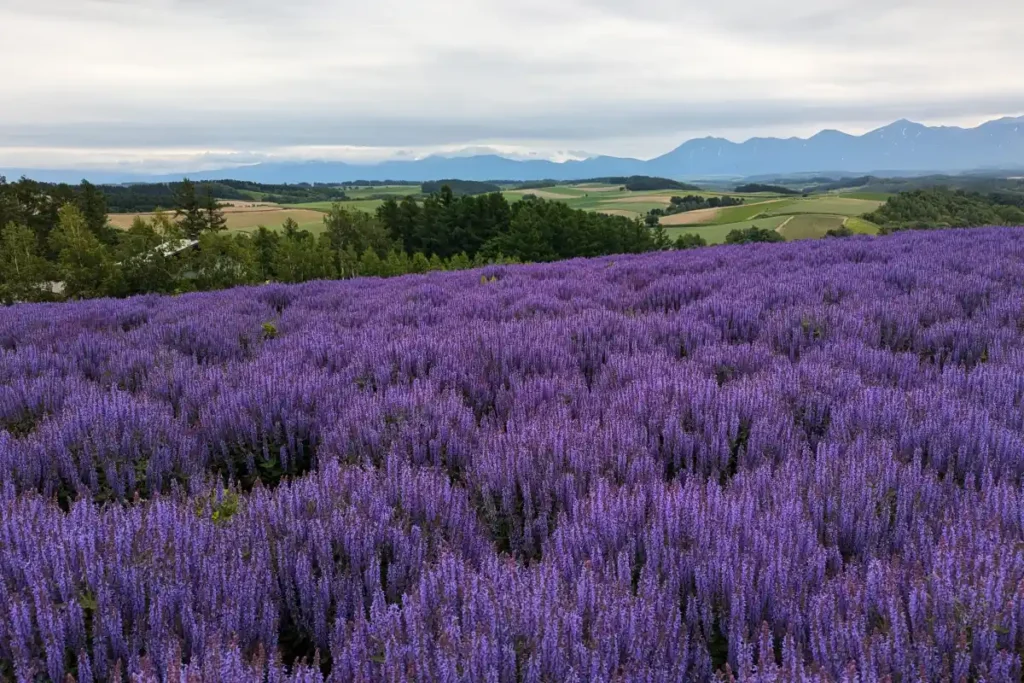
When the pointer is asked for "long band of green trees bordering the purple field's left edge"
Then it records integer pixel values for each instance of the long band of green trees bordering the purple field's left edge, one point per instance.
(60, 246)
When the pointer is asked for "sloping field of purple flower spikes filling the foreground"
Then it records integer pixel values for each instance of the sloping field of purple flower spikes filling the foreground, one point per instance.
(774, 463)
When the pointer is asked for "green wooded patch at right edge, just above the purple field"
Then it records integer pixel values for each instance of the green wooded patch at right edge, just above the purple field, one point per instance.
(942, 207)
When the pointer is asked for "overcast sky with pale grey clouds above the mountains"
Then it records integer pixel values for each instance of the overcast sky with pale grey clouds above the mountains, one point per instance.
(188, 84)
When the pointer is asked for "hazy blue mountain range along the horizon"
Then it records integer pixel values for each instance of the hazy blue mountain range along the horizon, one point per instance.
(901, 148)
